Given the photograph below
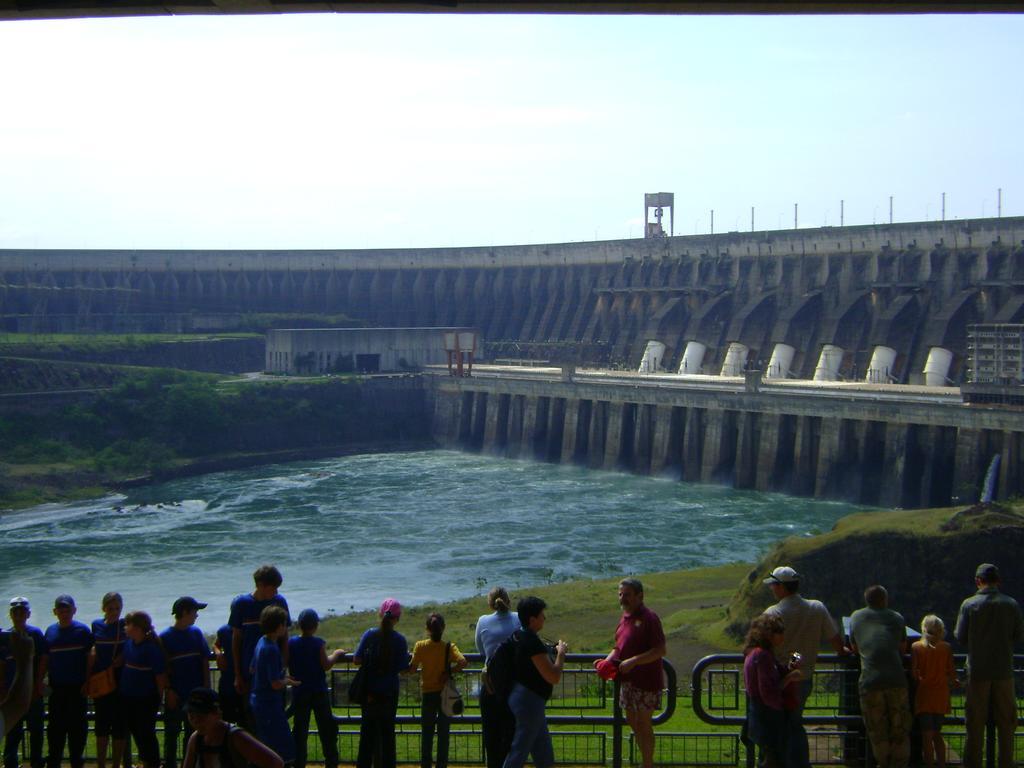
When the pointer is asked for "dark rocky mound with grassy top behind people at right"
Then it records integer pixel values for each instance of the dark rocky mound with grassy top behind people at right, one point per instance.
(926, 571)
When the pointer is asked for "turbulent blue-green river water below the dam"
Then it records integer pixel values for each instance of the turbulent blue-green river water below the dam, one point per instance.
(349, 532)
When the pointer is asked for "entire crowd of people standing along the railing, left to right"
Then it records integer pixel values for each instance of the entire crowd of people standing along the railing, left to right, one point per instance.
(132, 672)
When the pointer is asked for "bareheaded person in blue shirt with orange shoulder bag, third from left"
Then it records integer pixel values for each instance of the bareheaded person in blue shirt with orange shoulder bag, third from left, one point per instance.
(110, 637)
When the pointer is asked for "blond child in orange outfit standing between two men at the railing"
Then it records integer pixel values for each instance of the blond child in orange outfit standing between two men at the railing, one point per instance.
(932, 667)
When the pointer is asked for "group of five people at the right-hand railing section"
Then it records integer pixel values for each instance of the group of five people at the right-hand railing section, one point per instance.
(783, 646)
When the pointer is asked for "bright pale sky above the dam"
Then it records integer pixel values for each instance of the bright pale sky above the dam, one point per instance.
(374, 132)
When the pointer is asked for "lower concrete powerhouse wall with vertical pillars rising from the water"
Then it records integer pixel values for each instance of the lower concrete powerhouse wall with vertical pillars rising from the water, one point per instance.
(864, 447)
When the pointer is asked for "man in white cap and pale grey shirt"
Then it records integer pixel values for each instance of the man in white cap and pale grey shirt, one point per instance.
(808, 626)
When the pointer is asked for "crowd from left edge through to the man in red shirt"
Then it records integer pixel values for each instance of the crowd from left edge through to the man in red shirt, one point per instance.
(132, 672)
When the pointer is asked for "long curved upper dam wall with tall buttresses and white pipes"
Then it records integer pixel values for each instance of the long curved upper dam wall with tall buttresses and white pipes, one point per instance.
(805, 304)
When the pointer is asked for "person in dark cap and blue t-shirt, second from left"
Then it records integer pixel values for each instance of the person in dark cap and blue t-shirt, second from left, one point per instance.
(69, 644)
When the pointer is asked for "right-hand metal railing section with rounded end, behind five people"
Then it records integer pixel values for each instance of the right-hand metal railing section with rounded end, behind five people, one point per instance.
(836, 733)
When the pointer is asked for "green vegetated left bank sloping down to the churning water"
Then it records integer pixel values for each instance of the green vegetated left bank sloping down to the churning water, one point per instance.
(153, 420)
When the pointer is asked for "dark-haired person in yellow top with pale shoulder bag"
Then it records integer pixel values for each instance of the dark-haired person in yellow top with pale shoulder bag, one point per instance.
(429, 656)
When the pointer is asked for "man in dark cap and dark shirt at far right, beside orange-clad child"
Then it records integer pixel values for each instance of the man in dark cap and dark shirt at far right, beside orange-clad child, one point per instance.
(989, 626)
